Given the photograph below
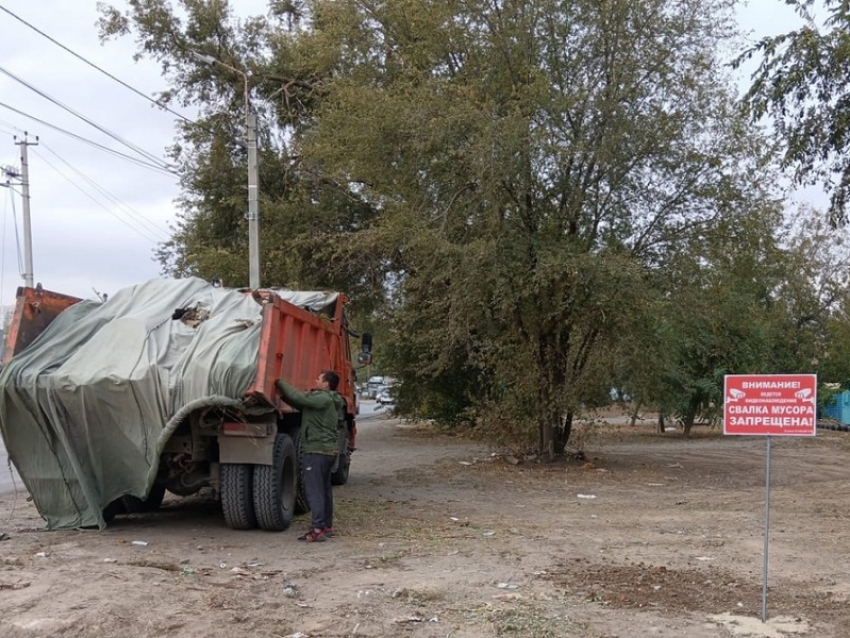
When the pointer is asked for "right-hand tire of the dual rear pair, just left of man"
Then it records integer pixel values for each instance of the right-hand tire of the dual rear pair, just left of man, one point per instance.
(275, 487)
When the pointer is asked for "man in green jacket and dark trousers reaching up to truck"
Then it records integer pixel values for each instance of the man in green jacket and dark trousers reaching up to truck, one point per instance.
(320, 410)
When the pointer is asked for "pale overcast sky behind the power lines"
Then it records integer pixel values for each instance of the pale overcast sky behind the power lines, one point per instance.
(97, 217)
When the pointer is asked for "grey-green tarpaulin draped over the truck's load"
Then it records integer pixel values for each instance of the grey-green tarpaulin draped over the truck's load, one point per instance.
(86, 409)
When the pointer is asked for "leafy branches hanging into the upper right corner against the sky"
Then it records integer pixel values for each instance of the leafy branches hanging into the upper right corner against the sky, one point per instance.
(802, 83)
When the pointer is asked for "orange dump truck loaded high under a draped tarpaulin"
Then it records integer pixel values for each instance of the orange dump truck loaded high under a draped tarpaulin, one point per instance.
(169, 386)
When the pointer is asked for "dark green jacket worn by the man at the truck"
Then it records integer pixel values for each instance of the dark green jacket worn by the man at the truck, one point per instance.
(320, 411)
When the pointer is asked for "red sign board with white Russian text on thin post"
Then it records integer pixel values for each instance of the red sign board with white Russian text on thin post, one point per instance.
(770, 404)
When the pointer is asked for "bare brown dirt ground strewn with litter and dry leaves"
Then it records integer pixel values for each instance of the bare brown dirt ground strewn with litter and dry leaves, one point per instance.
(651, 535)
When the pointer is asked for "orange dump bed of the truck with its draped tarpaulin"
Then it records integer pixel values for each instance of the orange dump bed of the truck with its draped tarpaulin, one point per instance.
(95, 390)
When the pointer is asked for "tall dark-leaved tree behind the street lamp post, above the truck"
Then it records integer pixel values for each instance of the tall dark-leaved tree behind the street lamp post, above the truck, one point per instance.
(303, 214)
